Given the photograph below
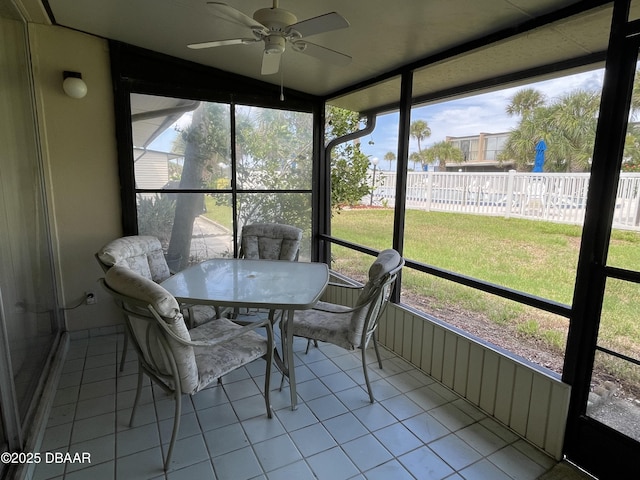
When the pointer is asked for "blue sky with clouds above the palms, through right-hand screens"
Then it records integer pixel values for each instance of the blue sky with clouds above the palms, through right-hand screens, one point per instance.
(469, 116)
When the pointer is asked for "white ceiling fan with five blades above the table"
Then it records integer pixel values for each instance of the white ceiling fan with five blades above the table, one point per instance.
(277, 26)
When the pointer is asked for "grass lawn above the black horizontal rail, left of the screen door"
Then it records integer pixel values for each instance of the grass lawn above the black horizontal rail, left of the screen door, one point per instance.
(534, 257)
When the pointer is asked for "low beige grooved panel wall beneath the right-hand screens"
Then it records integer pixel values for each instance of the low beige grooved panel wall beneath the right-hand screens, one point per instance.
(531, 403)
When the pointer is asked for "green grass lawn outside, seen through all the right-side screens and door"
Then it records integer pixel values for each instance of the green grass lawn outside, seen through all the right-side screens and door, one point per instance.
(534, 257)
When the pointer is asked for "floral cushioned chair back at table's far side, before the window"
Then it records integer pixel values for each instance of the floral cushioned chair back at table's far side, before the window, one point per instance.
(270, 241)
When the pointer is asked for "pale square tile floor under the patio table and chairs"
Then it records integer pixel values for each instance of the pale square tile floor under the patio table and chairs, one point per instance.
(417, 429)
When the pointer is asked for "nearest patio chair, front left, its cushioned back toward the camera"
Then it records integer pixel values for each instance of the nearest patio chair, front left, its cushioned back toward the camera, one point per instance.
(178, 360)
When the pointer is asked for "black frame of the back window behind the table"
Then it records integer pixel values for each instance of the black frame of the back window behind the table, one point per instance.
(136, 70)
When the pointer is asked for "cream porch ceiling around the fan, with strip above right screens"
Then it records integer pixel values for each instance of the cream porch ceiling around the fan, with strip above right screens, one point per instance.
(383, 36)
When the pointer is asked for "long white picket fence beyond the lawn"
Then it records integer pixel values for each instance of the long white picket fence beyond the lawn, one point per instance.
(555, 197)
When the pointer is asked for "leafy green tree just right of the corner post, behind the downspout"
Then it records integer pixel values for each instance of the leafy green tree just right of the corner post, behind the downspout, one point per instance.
(349, 166)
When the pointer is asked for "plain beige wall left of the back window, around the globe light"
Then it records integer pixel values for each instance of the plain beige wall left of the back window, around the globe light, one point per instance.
(79, 155)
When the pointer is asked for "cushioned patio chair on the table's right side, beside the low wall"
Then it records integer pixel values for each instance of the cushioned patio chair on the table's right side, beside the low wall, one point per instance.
(352, 328)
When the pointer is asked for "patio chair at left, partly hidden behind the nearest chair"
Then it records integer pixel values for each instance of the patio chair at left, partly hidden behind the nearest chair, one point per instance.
(144, 255)
